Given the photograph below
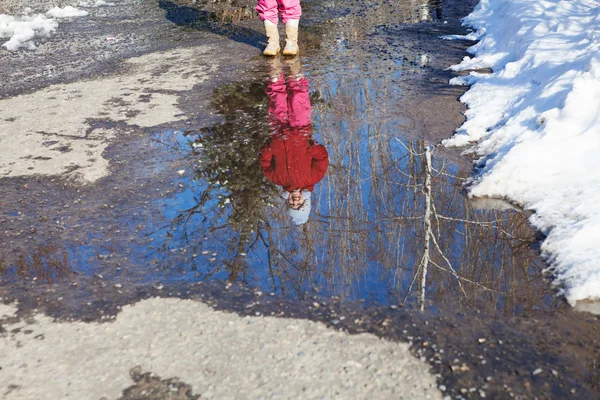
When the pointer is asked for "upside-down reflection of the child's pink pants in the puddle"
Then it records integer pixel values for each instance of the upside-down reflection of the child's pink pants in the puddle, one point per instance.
(289, 102)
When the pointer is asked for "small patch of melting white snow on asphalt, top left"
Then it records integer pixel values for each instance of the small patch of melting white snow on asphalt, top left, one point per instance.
(22, 29)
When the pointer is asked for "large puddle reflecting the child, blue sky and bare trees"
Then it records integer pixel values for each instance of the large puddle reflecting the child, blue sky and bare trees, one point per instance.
(366, 104)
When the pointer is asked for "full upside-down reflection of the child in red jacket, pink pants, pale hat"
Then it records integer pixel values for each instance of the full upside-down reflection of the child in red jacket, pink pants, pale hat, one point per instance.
(291, 158)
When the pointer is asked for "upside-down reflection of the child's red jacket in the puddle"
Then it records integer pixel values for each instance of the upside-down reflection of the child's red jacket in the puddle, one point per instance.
(292, 161)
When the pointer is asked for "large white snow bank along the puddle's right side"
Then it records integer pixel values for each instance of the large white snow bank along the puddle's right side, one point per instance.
(536, 121)
